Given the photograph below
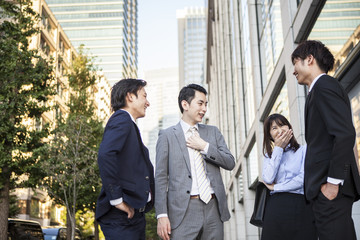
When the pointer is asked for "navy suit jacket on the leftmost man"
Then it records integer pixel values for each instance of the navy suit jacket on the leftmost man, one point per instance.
(125, 168)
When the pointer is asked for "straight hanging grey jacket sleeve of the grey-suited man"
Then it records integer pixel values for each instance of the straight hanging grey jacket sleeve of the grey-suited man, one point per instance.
(161, 173)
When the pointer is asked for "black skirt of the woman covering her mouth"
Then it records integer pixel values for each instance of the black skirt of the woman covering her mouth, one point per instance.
(289, 217)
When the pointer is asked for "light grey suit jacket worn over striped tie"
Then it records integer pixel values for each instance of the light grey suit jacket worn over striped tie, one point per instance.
(173, 178)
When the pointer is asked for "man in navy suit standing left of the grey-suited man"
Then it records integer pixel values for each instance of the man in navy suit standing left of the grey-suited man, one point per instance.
(126, 171)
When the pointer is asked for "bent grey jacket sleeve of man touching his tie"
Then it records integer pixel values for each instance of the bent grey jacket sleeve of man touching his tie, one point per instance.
(219, 154)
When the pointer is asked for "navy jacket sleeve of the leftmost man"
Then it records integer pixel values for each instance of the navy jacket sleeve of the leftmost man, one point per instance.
(115, 135)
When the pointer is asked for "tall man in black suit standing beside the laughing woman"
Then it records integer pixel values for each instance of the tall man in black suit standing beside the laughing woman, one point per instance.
(332, 181)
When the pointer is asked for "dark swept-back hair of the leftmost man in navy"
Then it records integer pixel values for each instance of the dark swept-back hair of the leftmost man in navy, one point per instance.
(122, 88)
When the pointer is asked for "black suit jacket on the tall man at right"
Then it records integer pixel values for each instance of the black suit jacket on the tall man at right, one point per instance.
(330, 137)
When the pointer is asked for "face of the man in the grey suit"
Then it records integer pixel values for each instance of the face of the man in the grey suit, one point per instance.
(196, 109)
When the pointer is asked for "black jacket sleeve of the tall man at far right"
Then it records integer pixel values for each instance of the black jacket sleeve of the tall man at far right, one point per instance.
(334, 108)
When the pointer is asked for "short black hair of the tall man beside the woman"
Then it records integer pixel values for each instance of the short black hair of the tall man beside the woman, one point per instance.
(318, 50)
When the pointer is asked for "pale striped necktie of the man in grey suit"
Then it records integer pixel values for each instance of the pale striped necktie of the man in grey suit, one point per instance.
(203, 182)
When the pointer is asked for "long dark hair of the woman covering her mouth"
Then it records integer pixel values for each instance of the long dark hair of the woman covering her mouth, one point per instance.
(268, 143)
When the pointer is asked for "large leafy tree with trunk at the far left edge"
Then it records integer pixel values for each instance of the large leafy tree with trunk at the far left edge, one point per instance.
(25, 85)
